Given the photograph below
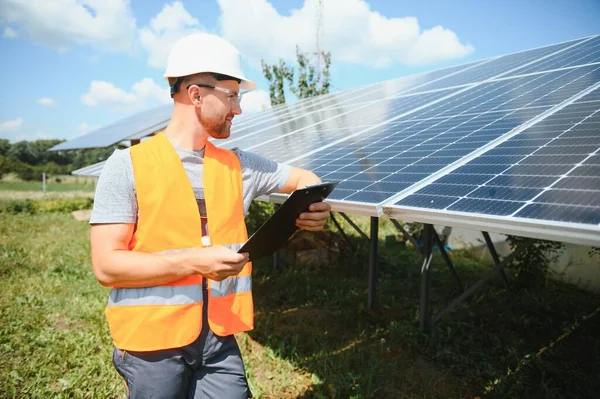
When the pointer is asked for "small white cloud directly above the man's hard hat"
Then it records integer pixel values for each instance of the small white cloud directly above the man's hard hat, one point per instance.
(170, 24)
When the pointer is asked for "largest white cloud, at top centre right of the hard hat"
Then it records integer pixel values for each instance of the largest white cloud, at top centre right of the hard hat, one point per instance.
(353, 34)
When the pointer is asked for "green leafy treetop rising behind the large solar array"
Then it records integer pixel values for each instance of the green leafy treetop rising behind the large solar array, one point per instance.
(307, 84)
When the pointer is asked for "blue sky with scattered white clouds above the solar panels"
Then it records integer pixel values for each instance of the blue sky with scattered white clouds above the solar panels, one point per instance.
(75, 65)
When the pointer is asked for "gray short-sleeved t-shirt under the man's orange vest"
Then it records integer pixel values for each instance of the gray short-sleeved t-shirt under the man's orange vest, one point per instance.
(115, 198)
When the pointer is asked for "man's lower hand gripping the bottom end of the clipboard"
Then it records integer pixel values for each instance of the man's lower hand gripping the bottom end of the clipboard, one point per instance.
(215, 262)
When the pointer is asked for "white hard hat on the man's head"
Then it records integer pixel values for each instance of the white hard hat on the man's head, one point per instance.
(202, 52)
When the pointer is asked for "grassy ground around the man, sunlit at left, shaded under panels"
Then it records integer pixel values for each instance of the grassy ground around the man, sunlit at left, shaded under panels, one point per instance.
(314, 337)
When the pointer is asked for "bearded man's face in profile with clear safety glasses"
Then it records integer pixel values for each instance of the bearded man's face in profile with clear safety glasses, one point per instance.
(219, 108)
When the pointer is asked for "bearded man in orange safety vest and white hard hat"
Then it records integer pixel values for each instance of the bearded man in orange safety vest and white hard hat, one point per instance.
(168, 219)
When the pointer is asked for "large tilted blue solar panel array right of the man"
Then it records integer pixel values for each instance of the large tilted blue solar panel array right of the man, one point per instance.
(509, 144)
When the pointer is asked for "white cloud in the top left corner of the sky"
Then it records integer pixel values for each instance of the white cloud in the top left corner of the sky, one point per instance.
(60, 24)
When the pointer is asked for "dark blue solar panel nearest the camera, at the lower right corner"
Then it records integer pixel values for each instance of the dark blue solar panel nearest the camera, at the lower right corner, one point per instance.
(549, 172)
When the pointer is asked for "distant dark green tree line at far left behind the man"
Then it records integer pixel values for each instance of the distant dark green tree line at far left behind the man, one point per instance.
(29, 159)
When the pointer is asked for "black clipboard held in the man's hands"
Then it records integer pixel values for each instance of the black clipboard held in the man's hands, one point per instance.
(278, 228)
